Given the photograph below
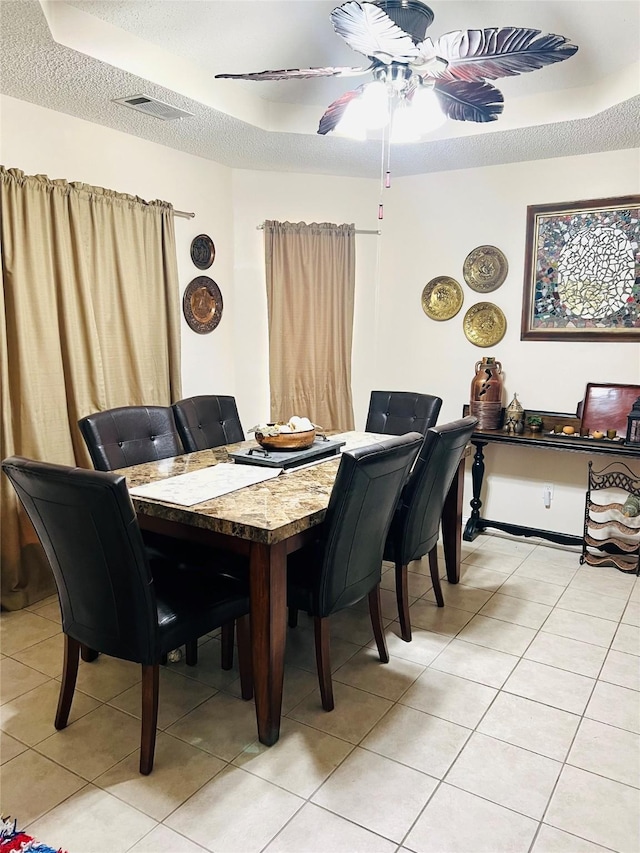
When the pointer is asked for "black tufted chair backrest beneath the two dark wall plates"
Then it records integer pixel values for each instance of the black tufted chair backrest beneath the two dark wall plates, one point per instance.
(208, 421)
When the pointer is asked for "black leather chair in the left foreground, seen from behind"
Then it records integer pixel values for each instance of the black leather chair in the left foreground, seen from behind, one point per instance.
(114, 598)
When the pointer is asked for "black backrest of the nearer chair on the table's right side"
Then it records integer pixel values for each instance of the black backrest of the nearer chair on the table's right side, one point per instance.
(361, 506)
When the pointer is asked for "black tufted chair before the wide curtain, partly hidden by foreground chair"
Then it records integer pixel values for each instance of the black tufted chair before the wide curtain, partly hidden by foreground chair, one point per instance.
(131, 435)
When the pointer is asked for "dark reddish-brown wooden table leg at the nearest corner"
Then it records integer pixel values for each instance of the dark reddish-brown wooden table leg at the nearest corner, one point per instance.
(268, 578)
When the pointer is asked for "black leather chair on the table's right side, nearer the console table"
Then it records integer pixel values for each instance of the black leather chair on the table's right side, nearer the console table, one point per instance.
(416, 522)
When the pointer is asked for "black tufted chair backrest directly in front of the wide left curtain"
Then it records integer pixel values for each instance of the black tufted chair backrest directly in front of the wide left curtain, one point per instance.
(130, 435)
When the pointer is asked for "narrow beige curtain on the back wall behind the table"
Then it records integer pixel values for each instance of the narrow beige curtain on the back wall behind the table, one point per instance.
(310, 292)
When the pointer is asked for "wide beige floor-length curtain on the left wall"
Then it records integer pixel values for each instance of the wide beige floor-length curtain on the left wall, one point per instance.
(89, 321)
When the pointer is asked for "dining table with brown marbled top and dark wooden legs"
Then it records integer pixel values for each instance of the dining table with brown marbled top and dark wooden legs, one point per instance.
(263, 522)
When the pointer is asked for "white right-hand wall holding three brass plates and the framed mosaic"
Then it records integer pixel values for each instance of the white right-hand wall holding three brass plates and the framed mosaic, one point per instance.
(437, 220)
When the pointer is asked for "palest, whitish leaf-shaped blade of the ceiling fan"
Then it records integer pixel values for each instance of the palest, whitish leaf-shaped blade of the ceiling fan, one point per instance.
(369, 30)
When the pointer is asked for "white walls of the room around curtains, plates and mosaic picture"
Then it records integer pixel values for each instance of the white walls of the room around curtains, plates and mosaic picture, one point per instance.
(431, 223)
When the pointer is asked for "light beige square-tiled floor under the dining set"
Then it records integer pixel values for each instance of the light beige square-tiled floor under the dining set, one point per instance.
(510, 723)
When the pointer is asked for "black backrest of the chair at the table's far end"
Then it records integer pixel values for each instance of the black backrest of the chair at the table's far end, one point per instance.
(397, 412)
